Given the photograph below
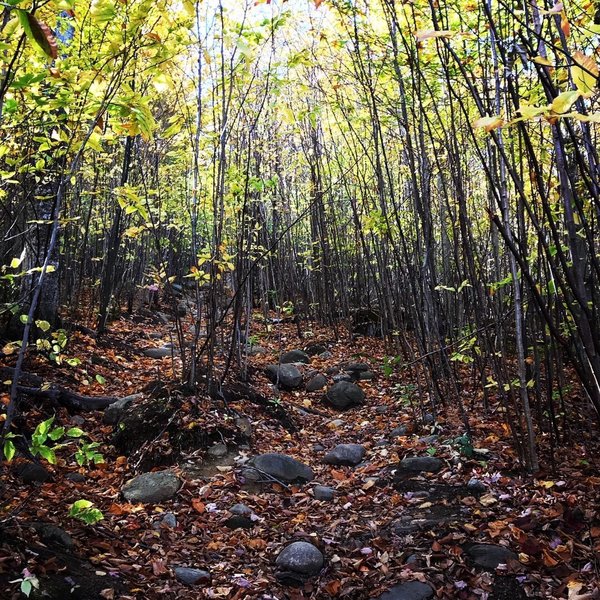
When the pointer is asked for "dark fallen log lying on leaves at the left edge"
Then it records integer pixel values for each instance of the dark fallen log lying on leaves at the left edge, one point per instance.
(36, 387)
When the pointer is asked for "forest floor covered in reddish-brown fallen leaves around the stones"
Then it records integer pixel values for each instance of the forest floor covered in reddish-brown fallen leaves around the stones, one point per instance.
(382, 522)
